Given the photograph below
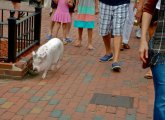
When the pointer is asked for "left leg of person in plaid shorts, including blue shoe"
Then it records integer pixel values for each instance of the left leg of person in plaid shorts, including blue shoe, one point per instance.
(105, 30)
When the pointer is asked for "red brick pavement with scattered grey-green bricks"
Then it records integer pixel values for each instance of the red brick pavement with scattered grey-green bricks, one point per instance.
(66, 93)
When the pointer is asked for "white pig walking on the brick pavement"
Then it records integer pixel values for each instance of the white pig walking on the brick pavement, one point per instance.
(47, 56)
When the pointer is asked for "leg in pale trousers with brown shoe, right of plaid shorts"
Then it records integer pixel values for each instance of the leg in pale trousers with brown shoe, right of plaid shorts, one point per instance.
(128, 26)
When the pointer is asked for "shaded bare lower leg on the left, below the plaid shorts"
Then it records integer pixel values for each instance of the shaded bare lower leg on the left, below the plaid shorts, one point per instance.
(107, 43)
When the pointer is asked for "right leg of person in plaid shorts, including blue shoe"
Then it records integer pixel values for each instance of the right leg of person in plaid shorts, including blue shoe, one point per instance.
(119, 17)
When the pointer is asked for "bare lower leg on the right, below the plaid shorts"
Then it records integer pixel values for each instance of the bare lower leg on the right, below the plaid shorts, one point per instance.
(117, 44)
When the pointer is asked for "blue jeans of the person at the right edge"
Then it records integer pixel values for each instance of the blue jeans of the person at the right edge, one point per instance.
(158, 72)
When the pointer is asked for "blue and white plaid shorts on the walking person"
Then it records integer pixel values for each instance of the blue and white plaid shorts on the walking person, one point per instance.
(112, 19)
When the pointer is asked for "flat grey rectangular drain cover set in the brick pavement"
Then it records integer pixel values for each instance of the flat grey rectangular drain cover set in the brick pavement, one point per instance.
(112, 100)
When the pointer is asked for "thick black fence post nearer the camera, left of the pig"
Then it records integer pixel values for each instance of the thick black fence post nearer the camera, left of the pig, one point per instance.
(12, 38)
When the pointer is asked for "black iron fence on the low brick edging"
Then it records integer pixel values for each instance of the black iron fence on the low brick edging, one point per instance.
(19, 35)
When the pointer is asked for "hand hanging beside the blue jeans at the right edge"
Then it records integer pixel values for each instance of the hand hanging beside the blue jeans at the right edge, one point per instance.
(143, 50)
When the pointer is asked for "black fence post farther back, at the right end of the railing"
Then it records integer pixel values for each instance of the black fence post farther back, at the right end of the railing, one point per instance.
(37, 24)
